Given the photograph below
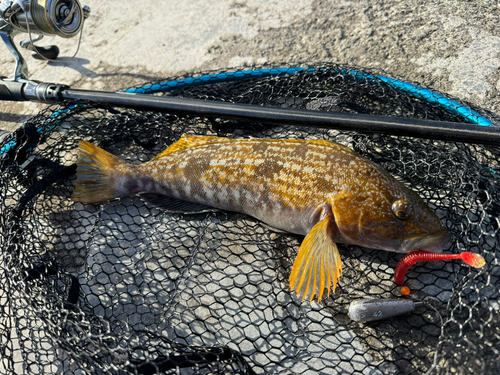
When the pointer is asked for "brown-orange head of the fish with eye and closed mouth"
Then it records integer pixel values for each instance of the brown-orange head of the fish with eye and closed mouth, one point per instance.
(386, 215)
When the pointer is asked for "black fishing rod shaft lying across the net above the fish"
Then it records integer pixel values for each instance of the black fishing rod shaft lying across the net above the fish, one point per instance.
(448, 131)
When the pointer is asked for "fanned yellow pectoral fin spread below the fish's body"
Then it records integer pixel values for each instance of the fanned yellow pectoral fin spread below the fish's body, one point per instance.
(318, 263)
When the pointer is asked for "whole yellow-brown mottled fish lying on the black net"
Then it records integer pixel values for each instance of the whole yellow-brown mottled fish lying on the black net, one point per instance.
(314, 188)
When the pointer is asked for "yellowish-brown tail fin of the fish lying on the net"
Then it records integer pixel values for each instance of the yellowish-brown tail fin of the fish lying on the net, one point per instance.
(95, 174)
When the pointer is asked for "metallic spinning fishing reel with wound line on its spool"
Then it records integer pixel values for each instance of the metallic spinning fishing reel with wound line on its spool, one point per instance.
(64, 18)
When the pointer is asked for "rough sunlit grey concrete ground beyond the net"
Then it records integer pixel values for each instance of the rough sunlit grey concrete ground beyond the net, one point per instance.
(450, 45)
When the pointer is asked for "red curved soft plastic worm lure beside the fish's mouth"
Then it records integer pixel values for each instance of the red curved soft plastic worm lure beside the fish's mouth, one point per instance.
(472, 259)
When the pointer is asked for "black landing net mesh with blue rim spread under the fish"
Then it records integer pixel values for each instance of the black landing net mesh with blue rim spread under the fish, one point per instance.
(123, 288)
